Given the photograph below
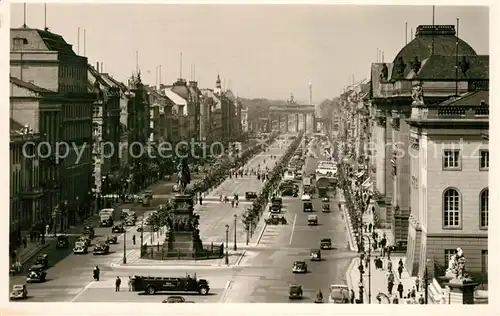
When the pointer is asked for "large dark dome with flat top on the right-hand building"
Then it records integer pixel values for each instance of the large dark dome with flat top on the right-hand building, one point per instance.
(444, 37)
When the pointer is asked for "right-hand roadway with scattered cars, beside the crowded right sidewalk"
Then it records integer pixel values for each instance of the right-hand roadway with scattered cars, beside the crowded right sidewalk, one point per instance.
(266, 270)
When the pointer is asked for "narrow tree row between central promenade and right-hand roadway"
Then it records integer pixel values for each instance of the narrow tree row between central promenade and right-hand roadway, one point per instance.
(252, 215)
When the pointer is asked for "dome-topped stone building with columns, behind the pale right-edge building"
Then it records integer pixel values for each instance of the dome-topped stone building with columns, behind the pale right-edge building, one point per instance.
(439, 64)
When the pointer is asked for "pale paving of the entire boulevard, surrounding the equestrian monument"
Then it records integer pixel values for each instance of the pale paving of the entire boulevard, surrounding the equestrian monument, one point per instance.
(262, 275)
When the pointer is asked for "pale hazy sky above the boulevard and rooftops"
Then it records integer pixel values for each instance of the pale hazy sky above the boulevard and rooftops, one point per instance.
(260, 51)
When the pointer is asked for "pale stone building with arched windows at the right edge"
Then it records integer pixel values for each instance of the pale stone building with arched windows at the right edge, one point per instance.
(449, 163)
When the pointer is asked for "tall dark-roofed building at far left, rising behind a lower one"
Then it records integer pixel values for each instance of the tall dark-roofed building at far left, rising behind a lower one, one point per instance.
(45, 59)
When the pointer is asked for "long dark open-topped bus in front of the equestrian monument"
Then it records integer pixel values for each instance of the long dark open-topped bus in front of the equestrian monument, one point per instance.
(152, 285)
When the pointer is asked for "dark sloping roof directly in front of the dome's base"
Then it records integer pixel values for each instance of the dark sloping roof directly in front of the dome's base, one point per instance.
(443, 68)
